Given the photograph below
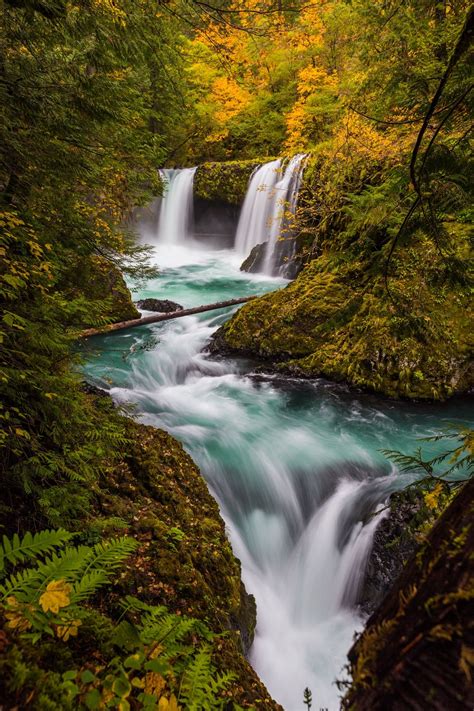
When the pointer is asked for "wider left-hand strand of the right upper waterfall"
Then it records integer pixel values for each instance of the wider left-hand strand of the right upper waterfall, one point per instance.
(257, 210)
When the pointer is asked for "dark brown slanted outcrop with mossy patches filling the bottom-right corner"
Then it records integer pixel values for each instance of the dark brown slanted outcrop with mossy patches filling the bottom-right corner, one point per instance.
(416, 651)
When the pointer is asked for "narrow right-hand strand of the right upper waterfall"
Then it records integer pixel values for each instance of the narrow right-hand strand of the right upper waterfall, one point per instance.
(284, 207)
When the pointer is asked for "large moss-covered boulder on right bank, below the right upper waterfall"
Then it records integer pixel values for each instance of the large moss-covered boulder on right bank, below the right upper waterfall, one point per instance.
(339, 319)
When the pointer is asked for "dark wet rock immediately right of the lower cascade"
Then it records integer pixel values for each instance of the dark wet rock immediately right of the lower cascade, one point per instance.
(394, 543)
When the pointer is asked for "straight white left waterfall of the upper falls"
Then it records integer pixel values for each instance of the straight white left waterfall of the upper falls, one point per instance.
(175, 225)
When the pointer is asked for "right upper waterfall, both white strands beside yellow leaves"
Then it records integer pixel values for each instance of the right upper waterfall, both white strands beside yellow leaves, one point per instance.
(268, 208)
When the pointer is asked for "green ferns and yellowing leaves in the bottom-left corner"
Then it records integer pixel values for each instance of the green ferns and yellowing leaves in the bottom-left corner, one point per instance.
(162, 658)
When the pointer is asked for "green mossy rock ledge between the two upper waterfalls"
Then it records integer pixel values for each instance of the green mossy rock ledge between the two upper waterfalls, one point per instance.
(225, 182)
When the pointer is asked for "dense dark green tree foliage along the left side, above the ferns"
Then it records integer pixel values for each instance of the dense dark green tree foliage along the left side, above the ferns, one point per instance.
(81, 137)
